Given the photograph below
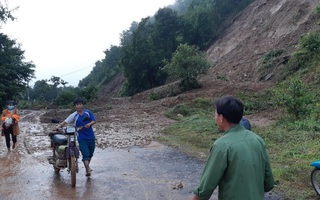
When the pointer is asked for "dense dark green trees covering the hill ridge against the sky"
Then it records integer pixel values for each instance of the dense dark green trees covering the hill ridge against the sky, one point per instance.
(145, 45)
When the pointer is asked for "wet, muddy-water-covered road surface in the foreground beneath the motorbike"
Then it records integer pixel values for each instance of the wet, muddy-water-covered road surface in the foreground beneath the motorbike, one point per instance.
(150, 172)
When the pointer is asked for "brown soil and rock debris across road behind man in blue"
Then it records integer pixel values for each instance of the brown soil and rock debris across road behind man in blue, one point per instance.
(121, 122)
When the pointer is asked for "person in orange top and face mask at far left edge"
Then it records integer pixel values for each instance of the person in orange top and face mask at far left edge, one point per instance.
(10, 126)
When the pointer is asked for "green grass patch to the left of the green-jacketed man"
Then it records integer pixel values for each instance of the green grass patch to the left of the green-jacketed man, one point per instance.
(194, 131)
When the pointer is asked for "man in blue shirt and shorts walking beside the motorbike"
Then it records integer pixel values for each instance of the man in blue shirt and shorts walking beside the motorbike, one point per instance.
(83, 119)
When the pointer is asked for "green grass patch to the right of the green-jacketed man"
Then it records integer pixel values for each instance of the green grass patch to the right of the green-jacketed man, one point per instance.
(291, 152)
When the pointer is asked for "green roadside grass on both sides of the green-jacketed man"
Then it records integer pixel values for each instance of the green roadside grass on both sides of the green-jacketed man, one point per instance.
(292, 146)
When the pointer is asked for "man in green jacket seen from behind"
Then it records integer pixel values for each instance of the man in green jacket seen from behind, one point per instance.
(238, 163)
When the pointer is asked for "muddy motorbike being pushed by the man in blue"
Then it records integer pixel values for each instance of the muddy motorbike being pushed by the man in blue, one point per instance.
(65, 151)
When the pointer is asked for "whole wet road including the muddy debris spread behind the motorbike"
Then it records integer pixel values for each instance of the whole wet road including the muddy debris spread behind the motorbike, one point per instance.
(128, 163)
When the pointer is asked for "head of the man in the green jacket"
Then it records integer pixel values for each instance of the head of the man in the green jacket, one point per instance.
(229, 110)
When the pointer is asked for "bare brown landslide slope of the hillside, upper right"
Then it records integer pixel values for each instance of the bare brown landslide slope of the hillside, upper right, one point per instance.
(262, 27)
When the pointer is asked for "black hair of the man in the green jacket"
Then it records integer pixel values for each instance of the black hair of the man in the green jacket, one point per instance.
(230, 108)
